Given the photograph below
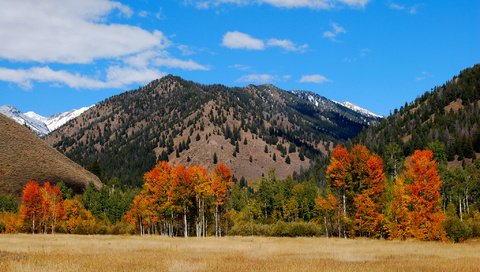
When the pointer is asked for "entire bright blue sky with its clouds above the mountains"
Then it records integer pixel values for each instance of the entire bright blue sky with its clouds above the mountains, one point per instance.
(60, 55)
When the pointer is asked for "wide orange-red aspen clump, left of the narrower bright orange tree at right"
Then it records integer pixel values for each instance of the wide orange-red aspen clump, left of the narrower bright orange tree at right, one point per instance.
(358, 177)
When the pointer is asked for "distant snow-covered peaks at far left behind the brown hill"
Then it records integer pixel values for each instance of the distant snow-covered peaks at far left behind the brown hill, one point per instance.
(39, 124)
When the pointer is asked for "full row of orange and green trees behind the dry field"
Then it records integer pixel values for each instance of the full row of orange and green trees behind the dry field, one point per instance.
(357, 195)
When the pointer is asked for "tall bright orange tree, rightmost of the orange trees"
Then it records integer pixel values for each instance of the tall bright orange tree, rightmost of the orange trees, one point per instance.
(424, 189)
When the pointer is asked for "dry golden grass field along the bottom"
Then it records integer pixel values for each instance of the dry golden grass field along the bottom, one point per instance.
(25, 252)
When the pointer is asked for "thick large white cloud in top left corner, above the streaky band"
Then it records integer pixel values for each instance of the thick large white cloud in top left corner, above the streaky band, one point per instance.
(70, 32)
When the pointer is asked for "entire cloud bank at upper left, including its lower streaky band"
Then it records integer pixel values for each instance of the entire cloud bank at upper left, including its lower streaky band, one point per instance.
(78, 32)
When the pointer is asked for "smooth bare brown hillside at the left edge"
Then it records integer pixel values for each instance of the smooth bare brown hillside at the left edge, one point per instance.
(23, 156)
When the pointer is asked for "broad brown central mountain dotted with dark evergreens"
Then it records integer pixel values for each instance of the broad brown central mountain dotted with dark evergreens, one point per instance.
(251, 129)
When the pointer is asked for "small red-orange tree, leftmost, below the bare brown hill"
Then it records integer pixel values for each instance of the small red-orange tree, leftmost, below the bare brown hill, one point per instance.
(31, 208)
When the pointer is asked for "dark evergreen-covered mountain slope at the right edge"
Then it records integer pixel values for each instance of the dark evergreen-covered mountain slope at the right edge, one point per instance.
(449, 114)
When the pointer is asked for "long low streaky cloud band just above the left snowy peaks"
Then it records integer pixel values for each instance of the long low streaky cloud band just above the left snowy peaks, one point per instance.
(117, 77)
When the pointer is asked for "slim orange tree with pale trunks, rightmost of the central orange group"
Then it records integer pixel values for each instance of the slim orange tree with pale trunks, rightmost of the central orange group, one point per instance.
(221, 182)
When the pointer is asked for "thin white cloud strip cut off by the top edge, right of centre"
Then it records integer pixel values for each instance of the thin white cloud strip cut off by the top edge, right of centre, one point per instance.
(311, 4)
